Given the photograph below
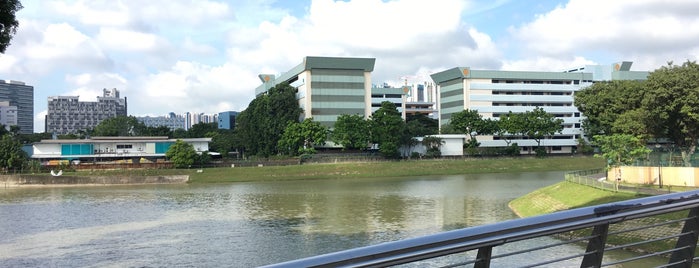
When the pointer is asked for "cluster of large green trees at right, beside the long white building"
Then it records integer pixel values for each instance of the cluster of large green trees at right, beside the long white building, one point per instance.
(622, 117)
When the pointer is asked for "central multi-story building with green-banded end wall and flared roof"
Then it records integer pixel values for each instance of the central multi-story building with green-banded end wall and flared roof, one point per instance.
(328, 87)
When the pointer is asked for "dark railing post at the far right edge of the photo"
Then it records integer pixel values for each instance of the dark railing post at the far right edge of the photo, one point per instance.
(689, 240)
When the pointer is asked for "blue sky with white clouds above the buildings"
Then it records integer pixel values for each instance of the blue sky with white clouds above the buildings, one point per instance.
(203, 56)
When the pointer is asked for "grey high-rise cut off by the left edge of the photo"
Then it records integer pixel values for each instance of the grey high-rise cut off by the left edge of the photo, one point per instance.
(21, 96)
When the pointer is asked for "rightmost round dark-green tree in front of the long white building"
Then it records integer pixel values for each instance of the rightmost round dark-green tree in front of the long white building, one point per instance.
(539, 124)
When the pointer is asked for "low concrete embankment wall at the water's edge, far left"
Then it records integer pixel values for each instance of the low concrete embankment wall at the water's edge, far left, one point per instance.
(38, 180)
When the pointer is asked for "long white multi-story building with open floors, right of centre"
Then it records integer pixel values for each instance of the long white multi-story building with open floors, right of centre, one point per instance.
(494, 93)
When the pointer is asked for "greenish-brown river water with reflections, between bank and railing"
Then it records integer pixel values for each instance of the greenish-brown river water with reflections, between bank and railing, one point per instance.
(242, 224)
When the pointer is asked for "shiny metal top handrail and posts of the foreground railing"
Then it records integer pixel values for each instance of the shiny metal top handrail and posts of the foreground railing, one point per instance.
(484, 238)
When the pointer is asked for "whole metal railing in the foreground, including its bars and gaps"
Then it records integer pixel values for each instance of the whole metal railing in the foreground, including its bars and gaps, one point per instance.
(664, 225)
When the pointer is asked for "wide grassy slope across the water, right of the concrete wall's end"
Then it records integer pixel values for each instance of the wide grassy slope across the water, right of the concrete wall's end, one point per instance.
(394, 169)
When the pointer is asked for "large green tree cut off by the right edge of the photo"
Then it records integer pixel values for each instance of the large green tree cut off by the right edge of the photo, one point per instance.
(672, 106)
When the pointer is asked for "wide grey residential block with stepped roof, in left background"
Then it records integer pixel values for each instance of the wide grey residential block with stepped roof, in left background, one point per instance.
(66, 114)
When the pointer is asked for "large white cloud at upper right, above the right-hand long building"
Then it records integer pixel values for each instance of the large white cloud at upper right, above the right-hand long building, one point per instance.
(646, 32)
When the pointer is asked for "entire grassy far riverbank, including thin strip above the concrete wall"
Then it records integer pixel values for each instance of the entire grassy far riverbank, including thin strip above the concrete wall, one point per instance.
(378, 169)
